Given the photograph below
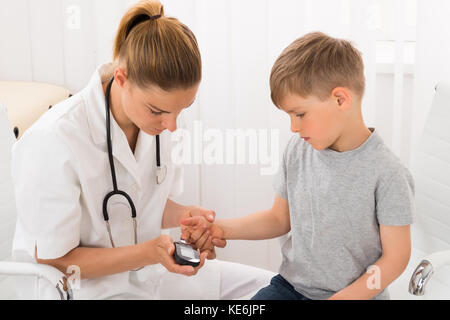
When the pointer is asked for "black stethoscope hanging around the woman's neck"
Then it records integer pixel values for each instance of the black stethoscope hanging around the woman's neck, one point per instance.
(160, 172)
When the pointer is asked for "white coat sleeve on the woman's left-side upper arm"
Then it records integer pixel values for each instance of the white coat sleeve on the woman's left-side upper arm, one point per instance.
(47, 194)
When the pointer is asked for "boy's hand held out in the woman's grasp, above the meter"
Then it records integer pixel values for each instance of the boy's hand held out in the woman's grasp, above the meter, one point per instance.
(203, 234)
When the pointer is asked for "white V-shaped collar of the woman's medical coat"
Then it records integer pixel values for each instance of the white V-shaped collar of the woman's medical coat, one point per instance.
(95, 110)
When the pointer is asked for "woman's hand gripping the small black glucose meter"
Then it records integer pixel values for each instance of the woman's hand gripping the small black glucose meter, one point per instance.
(164, 250)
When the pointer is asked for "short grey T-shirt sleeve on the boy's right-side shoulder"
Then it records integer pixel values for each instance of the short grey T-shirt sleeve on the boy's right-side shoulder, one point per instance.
(395, 199)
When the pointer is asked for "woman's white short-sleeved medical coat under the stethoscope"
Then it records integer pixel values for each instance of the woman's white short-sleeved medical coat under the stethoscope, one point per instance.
(61, 175)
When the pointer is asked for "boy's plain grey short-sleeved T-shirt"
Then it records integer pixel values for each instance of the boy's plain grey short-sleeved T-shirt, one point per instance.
(337, 200)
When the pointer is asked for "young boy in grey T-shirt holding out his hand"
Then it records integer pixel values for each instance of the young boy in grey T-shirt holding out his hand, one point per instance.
(344, 198)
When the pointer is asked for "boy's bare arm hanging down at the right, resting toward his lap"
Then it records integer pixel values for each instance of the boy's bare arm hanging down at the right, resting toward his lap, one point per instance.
(396, 246)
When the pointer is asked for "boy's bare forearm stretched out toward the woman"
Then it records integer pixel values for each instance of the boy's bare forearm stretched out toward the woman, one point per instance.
(261, 225)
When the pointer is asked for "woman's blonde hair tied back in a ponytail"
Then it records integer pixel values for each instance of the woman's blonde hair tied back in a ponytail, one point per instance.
(157, 50)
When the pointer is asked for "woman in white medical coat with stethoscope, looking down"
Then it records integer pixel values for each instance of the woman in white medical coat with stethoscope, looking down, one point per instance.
(93, 176)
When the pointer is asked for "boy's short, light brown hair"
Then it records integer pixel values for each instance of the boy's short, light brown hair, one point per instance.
(315, 64)
